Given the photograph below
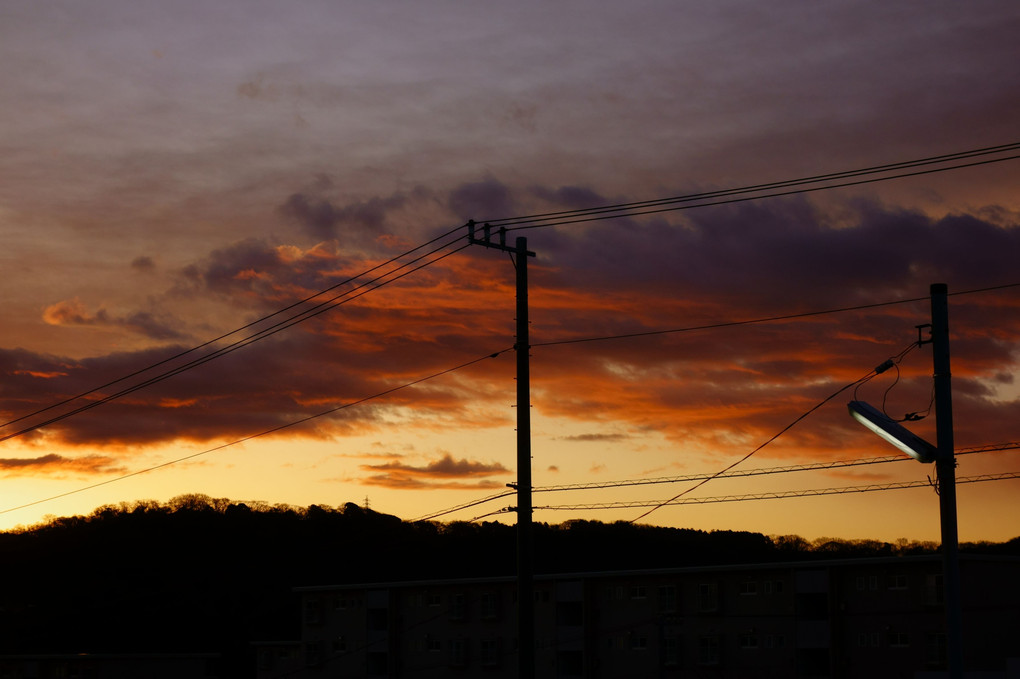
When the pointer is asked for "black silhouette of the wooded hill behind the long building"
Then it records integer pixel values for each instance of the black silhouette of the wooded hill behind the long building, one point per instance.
(203, 574)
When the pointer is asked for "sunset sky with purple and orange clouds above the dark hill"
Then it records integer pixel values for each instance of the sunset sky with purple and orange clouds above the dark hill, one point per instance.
(173, 173)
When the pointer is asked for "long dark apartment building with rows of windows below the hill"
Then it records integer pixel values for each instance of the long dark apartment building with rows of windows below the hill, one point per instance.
(853, 618)
